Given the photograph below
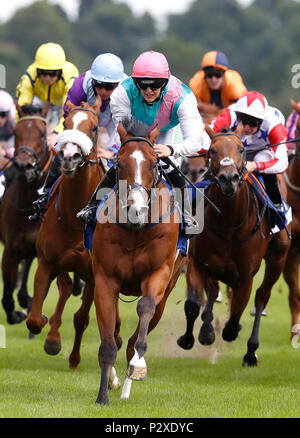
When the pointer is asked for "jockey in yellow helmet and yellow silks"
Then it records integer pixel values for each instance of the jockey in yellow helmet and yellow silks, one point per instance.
(48, 79)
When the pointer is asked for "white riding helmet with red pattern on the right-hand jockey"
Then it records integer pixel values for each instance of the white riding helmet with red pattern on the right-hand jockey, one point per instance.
(253, 104)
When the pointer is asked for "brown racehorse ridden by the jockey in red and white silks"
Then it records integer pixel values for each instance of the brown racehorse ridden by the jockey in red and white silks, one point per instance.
(231, 248)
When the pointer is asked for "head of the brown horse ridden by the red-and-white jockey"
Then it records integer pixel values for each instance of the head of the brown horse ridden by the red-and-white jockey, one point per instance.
(227, 160)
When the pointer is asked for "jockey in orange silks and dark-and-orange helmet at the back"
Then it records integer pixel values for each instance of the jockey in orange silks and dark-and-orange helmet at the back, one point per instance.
(215, 85)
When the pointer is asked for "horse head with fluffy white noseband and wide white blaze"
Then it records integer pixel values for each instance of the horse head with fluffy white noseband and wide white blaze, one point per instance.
(79, 137)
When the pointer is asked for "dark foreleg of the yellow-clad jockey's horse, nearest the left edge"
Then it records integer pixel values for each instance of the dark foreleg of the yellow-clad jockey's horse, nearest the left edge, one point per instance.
(10, 274)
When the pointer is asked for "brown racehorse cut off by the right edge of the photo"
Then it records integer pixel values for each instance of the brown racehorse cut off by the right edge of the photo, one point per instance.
(292, 179)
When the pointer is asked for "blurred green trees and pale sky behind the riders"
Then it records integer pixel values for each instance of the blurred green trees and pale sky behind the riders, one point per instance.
(261, 38)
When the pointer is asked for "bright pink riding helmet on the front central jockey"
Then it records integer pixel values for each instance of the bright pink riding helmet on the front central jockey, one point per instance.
(151, 65)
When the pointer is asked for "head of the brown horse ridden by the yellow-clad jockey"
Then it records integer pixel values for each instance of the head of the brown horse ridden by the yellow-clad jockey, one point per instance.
(31, 152)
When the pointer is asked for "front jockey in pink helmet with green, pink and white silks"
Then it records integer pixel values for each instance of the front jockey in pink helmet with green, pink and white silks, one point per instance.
(155, 97)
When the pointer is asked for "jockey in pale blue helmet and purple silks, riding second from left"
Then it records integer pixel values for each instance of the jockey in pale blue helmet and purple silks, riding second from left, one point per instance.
(106, 72)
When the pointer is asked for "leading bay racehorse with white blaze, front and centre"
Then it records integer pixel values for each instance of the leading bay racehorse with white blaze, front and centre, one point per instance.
(134, 253)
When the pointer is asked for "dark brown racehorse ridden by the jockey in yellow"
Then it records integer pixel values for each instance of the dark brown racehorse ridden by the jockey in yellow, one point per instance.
(30, 164)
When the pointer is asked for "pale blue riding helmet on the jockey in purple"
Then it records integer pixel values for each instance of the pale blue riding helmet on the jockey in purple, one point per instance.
(107, 68)
